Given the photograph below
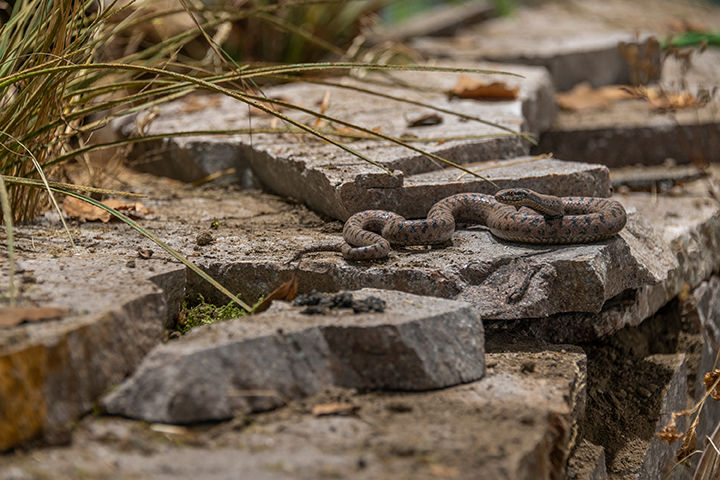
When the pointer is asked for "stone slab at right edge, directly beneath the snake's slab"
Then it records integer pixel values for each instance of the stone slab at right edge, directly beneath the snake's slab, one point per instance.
(690, 229)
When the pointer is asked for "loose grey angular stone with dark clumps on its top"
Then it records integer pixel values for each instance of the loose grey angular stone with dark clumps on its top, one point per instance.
(255, 364)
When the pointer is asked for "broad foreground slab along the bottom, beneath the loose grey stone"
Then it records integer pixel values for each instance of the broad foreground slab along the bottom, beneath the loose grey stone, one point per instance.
(513, 424)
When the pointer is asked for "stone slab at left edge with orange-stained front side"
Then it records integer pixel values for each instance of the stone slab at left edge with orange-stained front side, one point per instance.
(52, 373)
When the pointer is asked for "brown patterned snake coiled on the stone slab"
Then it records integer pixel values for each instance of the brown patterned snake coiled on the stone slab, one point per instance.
(513, 214)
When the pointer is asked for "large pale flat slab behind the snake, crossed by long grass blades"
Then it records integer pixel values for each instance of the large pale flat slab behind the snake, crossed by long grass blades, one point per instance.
(331, 180)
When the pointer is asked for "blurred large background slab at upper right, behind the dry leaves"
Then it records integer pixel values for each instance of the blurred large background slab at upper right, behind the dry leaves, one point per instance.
(578, 47)
